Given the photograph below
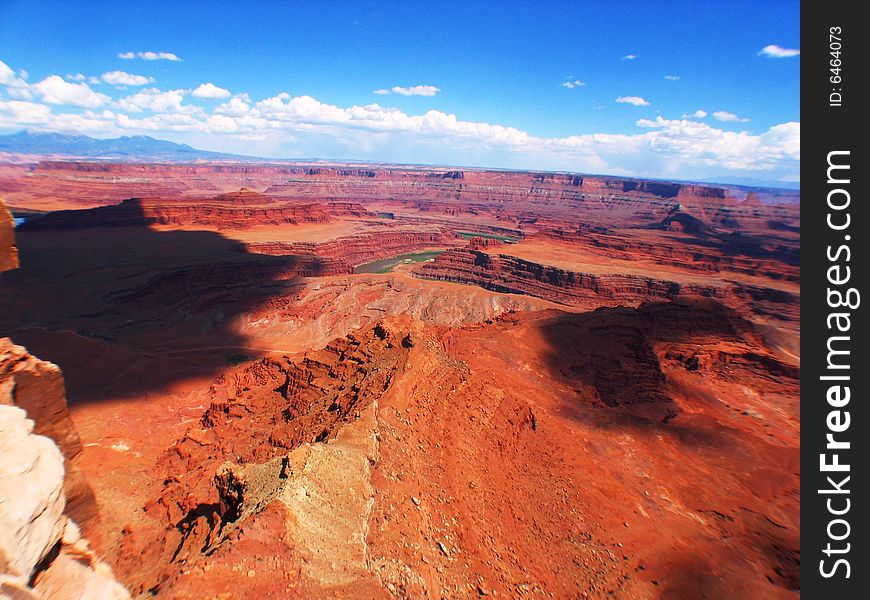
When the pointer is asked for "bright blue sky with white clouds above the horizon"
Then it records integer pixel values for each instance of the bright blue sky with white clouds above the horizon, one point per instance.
(610, 87)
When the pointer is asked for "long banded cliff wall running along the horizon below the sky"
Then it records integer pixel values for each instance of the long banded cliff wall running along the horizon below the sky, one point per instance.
(467, 191)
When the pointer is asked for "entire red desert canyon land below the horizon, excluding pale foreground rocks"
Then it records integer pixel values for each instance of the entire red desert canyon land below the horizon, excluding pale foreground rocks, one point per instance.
(370, 381)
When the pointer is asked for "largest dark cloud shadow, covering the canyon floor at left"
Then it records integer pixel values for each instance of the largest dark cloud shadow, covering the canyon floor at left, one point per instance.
(126, 310)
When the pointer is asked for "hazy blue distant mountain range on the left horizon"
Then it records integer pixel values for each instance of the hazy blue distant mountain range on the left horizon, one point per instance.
(137, 147)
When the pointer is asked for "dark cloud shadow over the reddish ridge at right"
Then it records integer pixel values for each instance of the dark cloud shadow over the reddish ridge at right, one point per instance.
(612, 355)
